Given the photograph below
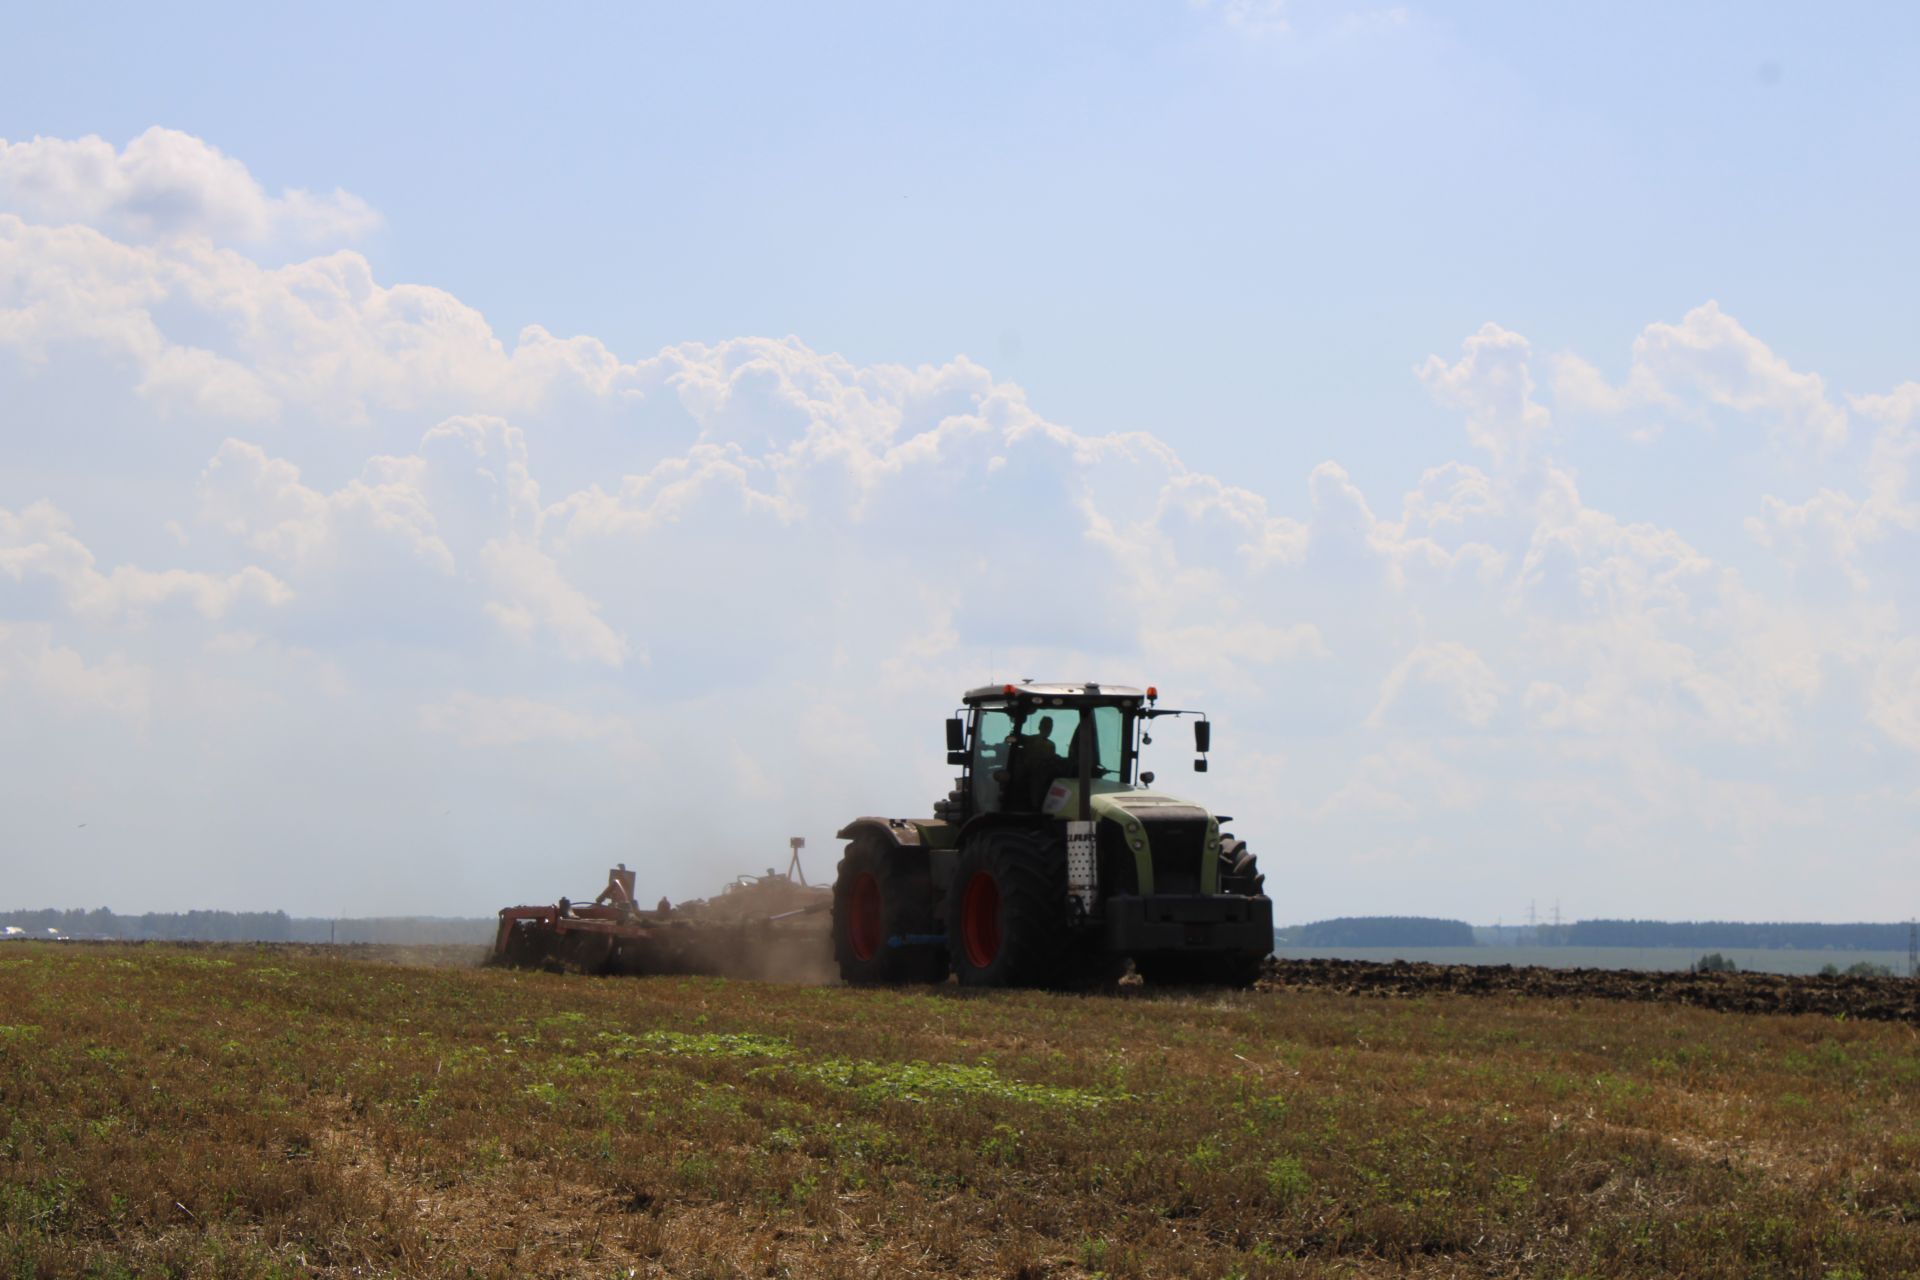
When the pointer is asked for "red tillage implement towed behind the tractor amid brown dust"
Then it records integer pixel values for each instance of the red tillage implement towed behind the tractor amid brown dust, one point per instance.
(759, 926)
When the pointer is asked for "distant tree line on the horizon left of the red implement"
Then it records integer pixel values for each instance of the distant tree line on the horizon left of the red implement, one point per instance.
(249, 928)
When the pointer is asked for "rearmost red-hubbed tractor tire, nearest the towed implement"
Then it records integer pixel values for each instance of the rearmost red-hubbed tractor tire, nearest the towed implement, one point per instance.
(880, 897)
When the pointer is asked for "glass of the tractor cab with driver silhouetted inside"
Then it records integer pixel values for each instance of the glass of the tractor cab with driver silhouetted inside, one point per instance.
(1020, 751)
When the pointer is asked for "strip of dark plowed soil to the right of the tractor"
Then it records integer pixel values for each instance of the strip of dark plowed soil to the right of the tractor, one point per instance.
(1892, 1001)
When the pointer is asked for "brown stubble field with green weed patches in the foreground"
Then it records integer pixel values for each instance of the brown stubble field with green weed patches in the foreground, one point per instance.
(291, 1112)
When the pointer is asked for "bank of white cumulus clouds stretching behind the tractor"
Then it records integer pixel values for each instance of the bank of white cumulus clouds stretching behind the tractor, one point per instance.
(389, 567)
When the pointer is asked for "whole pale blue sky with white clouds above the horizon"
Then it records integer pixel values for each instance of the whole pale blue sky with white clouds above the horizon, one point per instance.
(448, 450)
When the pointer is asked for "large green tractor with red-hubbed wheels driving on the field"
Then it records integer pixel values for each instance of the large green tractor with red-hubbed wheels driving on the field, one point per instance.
(1053, 861)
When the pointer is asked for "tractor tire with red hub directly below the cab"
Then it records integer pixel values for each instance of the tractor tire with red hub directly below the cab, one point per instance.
(1007, 920)
